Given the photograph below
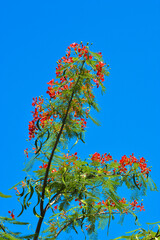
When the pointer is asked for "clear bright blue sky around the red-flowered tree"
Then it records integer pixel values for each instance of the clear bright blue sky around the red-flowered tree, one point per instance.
(35, 34)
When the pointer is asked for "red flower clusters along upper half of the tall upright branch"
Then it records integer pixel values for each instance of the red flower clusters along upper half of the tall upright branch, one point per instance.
(60, 87)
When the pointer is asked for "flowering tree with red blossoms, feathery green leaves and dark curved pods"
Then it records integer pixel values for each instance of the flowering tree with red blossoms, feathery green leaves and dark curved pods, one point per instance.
(79, 193)
